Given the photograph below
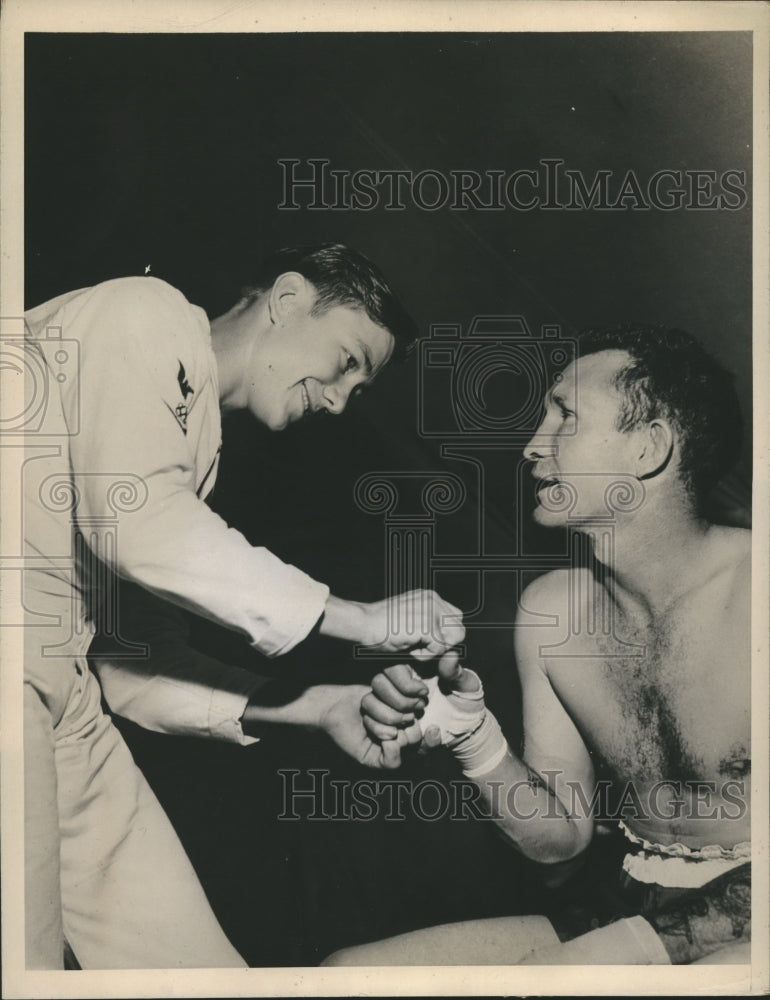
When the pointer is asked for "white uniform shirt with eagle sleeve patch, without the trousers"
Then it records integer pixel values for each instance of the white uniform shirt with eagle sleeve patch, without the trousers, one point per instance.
(145, 405)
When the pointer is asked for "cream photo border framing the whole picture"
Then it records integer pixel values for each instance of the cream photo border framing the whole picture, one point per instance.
(207, 16)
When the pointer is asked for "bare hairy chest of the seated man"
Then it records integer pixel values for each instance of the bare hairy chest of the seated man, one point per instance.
(666, 700)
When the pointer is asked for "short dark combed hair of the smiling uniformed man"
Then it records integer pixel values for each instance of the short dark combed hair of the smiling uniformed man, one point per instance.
(341, 276)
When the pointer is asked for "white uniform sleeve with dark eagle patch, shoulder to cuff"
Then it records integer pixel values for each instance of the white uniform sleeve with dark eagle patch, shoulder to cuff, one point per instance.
(169, 542)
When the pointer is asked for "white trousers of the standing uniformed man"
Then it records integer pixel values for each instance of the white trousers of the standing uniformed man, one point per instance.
(103, 866)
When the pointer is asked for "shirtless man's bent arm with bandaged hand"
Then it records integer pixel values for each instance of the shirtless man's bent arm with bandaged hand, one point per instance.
(530, 795)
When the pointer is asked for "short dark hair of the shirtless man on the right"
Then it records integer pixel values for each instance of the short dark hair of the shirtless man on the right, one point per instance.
(670, 374)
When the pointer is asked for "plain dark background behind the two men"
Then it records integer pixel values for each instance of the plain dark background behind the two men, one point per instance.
(162, 151)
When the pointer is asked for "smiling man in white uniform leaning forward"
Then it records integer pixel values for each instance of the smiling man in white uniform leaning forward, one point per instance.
(114, 489)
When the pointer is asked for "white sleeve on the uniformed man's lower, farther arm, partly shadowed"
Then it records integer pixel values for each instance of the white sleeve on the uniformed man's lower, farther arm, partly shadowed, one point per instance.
(172, 688)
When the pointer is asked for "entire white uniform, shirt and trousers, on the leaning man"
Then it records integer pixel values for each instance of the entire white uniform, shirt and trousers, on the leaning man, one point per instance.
(114, 477)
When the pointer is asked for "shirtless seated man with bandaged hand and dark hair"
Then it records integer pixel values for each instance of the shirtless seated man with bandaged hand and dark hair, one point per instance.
(635, 675)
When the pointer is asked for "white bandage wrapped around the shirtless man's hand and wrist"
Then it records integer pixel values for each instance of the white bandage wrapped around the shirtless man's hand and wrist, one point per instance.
(467, 727)
